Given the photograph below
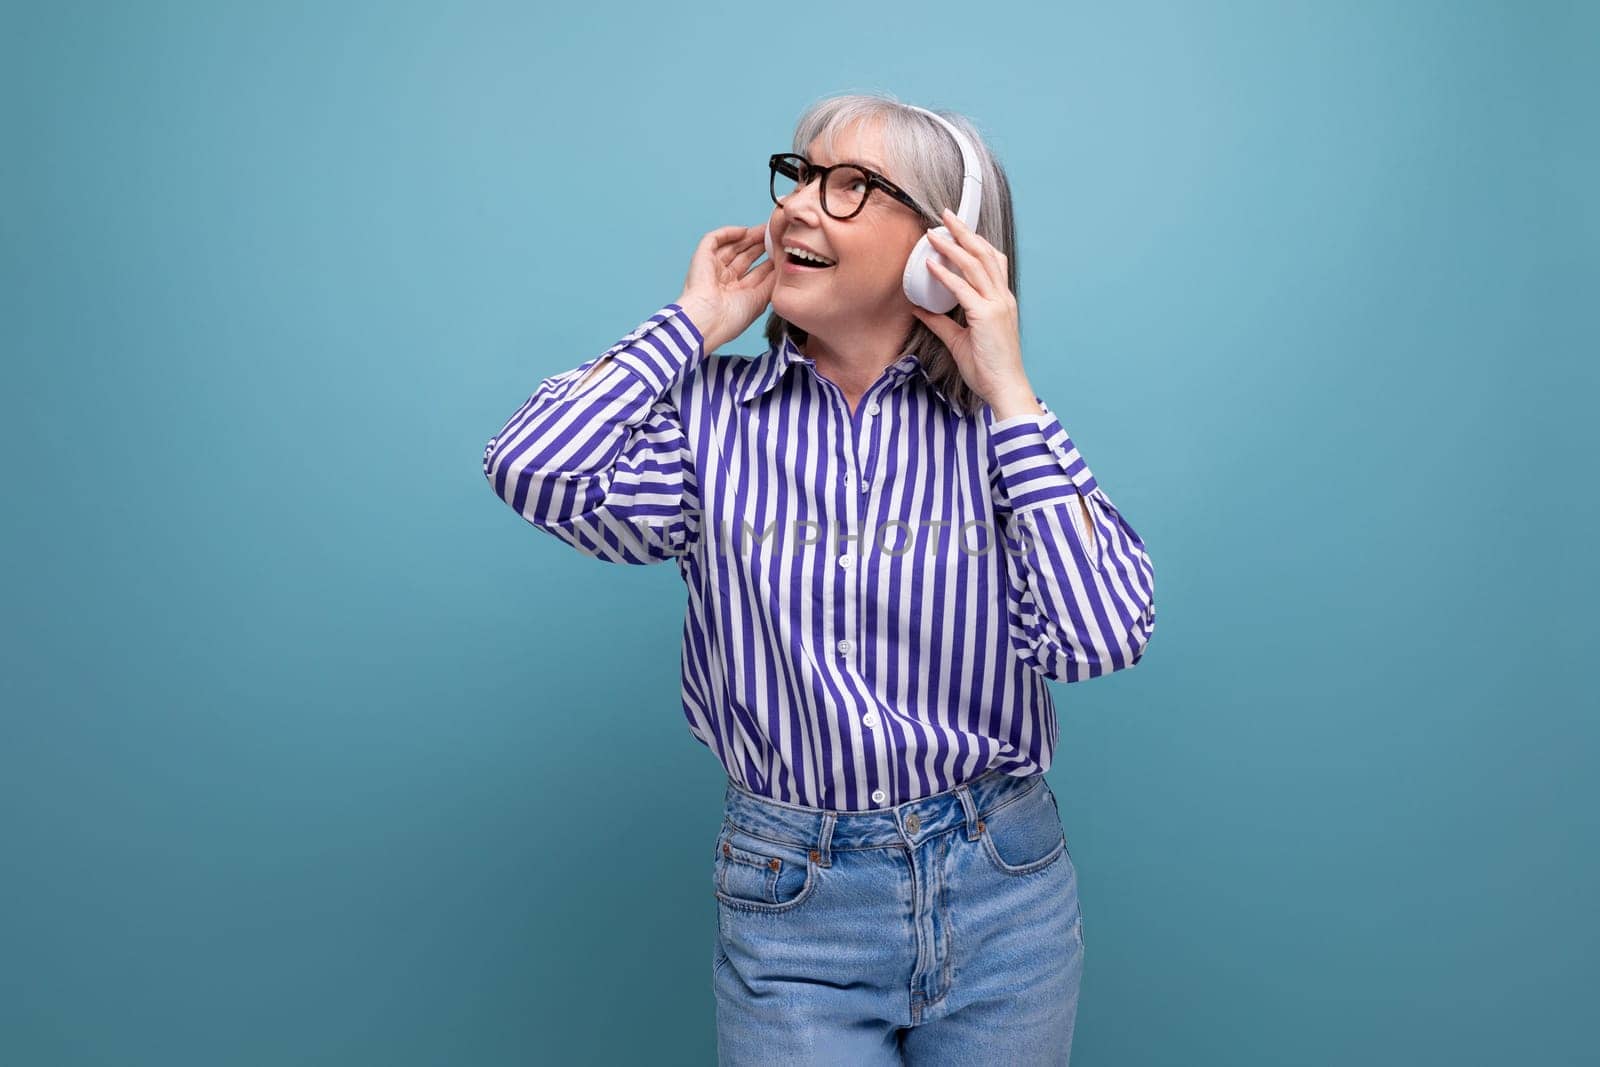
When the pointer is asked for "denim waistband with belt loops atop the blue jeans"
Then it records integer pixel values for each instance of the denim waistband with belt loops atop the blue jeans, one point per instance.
(902, 825)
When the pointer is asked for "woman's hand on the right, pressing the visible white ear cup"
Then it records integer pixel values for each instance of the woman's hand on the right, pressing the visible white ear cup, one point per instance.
(988, 350)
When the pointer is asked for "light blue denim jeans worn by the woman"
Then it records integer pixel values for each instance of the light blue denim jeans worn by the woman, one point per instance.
(945, 930)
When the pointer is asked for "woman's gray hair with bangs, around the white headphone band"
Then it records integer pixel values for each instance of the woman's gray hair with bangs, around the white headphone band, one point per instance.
(927, 164)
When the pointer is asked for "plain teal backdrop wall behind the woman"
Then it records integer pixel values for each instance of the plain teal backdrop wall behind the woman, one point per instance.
(314, 753)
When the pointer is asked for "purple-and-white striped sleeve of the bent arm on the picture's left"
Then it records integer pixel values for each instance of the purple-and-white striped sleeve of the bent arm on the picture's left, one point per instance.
(604, 463)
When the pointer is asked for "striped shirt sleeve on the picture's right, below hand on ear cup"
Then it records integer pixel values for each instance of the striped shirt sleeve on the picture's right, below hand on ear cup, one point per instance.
(1081, 591)
